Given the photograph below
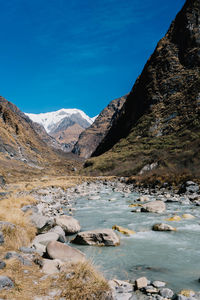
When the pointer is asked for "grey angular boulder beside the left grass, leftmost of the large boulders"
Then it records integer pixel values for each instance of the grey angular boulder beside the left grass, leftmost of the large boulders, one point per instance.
(41, 222)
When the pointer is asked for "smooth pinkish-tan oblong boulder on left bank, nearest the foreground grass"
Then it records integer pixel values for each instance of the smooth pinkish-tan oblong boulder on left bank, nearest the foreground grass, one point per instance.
(63, 252)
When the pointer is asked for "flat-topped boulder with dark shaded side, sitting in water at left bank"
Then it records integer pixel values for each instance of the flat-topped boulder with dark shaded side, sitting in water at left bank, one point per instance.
(98, 237)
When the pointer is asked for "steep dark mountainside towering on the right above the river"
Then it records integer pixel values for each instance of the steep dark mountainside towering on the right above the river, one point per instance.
(159, 124)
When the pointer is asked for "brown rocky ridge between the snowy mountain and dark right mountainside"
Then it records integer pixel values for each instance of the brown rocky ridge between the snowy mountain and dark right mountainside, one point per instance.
(93, 136)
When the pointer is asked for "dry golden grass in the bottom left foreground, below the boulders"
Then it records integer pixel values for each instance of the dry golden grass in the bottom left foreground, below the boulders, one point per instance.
(85, 283)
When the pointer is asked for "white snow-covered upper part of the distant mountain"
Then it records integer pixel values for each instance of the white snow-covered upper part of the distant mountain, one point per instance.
(52, 120)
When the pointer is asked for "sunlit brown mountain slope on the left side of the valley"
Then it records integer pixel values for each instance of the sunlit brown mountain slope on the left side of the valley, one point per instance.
(22, 145)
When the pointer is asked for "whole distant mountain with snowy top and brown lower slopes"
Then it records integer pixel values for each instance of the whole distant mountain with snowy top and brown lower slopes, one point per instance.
(65, 125)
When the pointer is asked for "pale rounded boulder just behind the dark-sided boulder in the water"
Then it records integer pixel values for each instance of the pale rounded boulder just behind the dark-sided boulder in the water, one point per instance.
(68, 224)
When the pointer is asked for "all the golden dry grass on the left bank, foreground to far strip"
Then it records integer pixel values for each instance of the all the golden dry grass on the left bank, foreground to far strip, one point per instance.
(29, 281)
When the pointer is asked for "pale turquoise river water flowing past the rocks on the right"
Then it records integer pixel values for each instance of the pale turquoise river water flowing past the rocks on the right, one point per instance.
(173, 257)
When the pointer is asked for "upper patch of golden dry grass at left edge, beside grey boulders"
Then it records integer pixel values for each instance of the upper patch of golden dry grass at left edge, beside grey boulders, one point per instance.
(24, 231)
